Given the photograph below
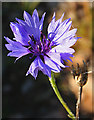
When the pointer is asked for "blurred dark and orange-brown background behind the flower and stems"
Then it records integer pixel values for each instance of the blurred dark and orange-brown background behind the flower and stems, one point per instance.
(25, 97)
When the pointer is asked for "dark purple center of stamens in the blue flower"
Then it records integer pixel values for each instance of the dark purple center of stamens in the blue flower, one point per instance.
(39, 48)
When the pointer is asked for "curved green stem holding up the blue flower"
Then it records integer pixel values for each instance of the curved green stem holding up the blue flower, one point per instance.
(53, 84)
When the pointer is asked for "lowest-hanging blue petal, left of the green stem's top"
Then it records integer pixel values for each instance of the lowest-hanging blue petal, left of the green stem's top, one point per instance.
(36, 65)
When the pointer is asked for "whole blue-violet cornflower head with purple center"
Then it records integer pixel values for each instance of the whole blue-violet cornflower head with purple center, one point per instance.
(50, 52)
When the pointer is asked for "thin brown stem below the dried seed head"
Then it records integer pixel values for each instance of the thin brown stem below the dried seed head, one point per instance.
(78, 103)
